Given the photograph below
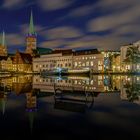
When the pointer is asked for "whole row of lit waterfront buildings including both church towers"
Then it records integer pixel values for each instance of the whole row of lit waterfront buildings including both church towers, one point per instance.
(36, 59)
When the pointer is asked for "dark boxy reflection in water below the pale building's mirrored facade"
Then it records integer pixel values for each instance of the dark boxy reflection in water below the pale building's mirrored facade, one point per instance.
(73, 101)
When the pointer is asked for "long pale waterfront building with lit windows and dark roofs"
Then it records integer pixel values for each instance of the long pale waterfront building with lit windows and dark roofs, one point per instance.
(69, 59)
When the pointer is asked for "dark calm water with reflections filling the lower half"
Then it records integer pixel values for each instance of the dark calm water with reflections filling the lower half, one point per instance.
(96, 107)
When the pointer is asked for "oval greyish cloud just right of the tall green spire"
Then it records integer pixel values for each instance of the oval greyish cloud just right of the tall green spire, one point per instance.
(63, 32)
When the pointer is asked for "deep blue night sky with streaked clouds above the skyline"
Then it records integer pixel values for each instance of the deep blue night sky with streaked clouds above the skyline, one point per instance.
(75, 24)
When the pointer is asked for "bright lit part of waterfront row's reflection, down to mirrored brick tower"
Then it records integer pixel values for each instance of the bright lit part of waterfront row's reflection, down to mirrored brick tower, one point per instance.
(34, 87)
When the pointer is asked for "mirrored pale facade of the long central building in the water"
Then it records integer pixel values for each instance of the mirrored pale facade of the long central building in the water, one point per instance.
(96, 83)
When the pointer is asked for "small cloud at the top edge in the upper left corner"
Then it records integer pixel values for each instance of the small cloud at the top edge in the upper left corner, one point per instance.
(10, 4)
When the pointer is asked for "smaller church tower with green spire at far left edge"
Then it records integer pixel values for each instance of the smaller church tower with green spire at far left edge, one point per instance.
(3, 48)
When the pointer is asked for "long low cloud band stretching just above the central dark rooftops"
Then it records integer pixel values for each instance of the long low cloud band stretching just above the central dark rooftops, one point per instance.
(107, 42)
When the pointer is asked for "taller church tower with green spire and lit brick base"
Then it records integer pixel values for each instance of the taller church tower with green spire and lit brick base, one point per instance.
(31, 38)
